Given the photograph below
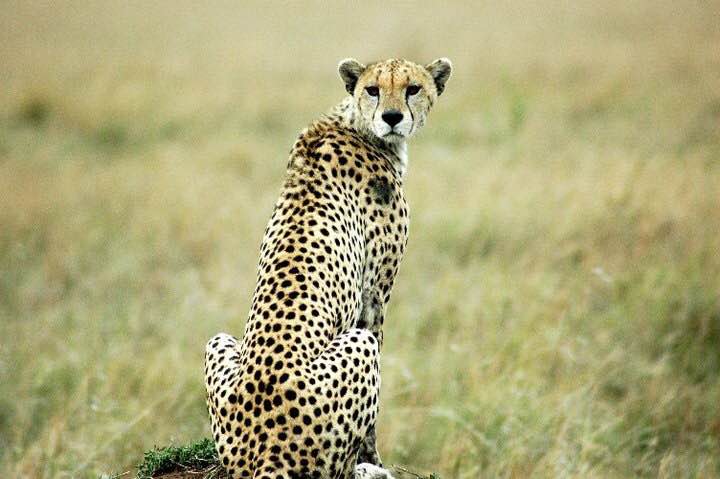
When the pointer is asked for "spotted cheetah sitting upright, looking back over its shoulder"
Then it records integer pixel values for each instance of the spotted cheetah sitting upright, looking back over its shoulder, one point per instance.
(297, 397)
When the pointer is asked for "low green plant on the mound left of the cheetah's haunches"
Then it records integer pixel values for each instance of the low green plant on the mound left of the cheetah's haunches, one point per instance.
(197, 457)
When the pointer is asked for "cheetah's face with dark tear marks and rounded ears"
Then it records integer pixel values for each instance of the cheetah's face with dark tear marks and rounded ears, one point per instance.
(393, 97)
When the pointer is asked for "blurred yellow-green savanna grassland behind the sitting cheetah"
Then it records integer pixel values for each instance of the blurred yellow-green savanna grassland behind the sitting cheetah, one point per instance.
(557, 313)
